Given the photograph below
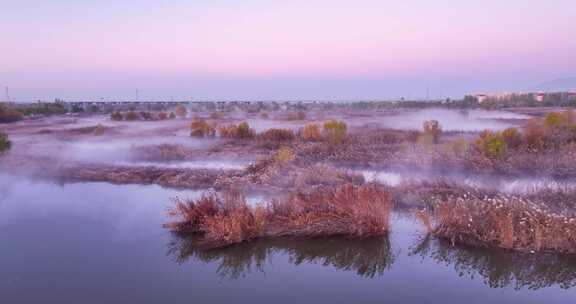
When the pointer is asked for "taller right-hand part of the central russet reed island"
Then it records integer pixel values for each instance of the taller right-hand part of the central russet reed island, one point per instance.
(355, 211)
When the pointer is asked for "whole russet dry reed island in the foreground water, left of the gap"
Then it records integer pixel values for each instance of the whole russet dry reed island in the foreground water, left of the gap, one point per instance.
(348, 210)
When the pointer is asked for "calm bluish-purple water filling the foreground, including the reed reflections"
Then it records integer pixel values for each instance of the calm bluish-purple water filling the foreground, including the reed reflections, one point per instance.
(101, 243)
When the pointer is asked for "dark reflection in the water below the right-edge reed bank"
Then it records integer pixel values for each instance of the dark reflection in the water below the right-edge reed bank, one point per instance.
(502, 268)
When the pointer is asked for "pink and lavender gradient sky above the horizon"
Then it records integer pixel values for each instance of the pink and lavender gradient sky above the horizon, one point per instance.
(296, 49)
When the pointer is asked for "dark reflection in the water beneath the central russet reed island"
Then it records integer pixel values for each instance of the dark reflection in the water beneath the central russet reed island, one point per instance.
(367, 258)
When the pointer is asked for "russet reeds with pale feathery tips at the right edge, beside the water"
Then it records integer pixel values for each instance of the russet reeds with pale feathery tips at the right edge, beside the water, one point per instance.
(501, 221)
